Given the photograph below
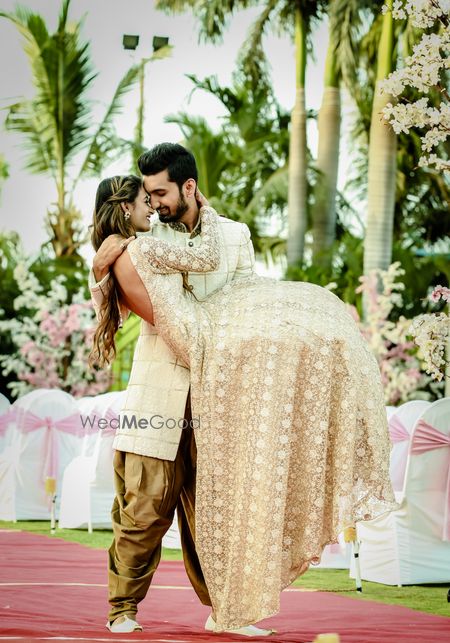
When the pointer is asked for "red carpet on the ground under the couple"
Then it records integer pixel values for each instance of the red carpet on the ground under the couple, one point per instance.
(54, 590)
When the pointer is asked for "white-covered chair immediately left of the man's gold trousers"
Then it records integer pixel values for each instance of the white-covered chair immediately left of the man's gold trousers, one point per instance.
(88, 484)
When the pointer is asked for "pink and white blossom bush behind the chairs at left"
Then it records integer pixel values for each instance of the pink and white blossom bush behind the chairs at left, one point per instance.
(52, 338)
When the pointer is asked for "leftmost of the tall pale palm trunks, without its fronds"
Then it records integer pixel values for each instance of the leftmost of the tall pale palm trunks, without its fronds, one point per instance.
(297, 195)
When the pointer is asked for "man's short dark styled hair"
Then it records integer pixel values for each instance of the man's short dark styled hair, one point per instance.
(176, 159)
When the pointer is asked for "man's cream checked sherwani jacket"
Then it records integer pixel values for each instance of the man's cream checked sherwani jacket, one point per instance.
(159, 382)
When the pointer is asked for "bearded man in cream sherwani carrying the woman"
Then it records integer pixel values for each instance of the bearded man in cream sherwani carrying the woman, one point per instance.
(155, 467)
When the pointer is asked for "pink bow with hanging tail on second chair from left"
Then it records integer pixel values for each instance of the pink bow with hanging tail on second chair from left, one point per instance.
(70, 424)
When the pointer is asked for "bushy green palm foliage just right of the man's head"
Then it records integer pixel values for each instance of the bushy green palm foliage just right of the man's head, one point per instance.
(243, 166)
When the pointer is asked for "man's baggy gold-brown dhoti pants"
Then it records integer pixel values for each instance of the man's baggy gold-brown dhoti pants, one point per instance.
(147, 492)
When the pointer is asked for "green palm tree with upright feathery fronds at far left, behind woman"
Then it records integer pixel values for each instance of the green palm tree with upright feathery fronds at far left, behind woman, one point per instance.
(56, 123)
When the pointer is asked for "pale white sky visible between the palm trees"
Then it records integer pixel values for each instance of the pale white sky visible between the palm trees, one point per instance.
(25, 198)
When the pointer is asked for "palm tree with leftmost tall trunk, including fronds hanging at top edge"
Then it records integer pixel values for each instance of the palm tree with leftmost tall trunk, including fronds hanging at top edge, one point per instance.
(294, 17)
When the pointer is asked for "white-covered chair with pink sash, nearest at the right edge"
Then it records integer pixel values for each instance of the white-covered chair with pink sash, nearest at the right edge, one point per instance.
(411, 544)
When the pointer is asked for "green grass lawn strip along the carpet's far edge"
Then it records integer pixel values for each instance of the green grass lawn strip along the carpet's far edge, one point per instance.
(425, 598)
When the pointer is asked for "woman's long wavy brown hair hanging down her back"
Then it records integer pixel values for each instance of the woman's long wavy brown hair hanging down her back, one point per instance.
(109, 218)
